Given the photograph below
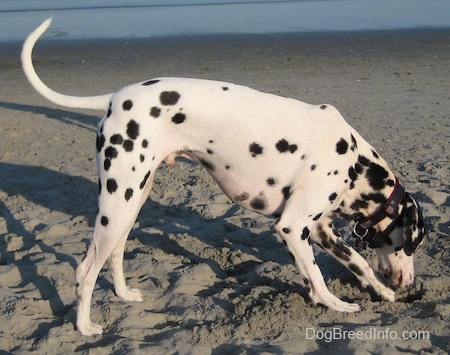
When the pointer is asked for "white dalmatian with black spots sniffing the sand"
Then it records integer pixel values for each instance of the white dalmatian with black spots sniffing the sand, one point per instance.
(286, 159)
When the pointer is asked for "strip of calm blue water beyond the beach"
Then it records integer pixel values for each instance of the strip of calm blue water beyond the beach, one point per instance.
(79, 19)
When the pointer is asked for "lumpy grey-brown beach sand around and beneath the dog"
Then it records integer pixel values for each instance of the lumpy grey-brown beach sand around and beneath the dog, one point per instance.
(216, 279)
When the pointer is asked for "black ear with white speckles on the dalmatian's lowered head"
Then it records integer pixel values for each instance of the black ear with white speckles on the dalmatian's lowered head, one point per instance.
(414, 228)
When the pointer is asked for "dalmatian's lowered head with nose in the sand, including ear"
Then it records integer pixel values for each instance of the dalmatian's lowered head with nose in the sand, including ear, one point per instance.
(396, 248)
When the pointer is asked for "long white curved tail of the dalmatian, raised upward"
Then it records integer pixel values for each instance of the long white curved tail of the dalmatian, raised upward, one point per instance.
(100, 102)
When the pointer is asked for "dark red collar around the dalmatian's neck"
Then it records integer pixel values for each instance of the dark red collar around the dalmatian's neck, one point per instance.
(388, 209)
